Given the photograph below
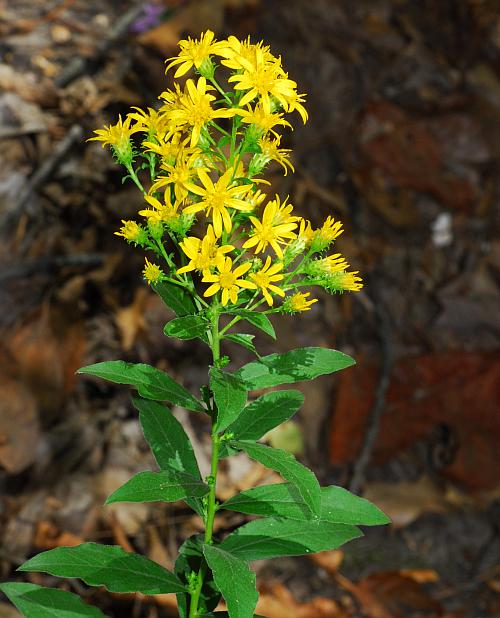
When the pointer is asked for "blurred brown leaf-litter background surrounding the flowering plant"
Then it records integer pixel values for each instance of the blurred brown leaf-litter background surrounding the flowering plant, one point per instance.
(403, 145)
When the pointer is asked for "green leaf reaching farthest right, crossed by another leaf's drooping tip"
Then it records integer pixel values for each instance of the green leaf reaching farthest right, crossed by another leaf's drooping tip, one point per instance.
(283, 500)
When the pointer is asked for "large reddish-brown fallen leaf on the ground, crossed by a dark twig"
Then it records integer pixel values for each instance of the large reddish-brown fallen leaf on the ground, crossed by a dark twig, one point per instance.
(458, 391)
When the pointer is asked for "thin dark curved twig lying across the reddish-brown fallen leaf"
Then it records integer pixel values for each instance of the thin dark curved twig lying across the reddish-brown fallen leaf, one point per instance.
(375, 414)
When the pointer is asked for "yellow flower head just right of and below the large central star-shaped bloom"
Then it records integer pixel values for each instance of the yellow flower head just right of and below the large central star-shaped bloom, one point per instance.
(275, 229)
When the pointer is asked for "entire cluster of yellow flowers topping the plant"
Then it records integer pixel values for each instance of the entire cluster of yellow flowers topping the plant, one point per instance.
(218, 234)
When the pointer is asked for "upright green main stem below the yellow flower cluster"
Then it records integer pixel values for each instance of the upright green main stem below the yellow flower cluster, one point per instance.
(211, 499)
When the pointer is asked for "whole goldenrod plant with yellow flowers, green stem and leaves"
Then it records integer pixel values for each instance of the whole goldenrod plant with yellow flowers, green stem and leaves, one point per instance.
(222, 253)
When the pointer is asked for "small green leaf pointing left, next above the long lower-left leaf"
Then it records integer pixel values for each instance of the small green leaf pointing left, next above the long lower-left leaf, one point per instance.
(166, 486)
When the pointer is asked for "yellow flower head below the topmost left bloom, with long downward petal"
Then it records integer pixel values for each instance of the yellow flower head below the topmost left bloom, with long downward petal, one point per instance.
(195, 109)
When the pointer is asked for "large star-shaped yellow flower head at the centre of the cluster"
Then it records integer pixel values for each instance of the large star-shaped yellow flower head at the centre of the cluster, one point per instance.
(217, 197)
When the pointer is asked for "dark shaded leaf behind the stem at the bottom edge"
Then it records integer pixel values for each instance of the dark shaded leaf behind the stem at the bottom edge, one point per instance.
(190, 560)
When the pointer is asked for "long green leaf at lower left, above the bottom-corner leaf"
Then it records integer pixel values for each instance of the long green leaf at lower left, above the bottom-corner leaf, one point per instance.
(106, 565)
